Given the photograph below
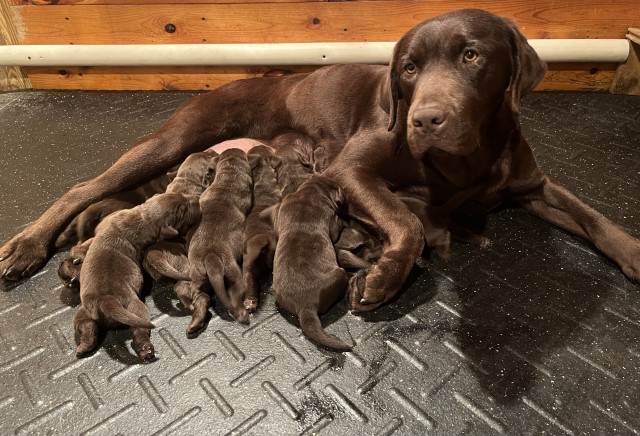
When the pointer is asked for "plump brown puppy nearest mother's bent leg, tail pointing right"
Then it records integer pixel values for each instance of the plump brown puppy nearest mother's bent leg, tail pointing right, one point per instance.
(306, 277)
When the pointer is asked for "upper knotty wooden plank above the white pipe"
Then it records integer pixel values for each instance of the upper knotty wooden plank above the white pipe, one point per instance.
(383, 20)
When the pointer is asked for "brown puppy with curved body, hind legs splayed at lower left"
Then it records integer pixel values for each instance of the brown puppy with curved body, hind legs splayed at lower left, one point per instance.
(111, 279)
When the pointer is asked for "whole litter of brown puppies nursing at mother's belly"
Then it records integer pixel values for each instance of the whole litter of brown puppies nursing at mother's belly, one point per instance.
(216, 228)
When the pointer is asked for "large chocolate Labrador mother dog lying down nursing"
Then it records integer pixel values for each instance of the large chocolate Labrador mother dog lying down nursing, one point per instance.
(439, 117)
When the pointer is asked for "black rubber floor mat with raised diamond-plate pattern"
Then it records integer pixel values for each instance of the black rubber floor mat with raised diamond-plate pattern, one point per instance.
(536, 335)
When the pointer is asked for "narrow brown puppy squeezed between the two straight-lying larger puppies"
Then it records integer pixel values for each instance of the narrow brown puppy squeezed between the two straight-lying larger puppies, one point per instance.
(259, 235)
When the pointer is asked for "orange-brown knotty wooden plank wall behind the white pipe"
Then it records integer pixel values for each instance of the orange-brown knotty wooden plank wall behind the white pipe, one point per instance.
(271, 21)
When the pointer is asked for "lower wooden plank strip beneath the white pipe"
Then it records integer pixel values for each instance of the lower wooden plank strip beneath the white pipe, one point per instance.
(575, 77)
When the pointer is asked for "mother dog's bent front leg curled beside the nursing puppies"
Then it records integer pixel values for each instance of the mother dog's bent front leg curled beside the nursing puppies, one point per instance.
(371, 202)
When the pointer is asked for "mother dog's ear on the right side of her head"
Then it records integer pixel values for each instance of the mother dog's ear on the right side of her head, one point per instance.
(527, 69)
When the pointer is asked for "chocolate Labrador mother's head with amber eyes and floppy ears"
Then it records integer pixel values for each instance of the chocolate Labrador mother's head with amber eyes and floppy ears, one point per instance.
(451, 73)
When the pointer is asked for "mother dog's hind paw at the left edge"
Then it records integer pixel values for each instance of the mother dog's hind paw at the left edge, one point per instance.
(21, 257)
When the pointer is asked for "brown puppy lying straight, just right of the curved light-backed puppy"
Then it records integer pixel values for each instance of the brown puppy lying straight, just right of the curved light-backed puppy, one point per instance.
(215, 246)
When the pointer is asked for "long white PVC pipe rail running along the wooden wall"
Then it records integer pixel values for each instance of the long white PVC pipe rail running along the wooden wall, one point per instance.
(550, 50)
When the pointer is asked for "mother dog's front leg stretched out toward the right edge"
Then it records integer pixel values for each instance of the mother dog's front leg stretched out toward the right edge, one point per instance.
(554, 203)
